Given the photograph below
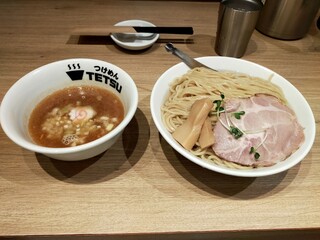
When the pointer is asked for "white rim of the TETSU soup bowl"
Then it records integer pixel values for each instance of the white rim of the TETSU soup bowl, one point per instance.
(67, 150)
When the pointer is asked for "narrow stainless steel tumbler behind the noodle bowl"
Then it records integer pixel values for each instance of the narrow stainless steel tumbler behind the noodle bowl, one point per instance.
(236, 22)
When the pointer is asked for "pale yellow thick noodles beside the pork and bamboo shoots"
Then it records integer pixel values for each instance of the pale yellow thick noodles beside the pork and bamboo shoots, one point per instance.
(201, 82)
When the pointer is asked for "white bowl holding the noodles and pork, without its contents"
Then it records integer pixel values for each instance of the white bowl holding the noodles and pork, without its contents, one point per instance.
(295, 99)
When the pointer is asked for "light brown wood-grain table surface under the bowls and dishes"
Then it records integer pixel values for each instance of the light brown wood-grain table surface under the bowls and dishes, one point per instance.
(141, 188)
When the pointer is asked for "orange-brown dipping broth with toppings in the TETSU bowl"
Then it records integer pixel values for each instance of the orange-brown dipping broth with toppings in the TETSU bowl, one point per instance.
(74, 116)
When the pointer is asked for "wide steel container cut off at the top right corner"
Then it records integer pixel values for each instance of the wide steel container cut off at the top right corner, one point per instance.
(286, 19)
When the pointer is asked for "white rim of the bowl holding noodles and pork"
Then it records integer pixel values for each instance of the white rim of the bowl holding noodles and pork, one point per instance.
(258, 172)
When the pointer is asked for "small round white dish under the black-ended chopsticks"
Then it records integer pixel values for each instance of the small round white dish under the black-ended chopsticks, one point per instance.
(135, 41)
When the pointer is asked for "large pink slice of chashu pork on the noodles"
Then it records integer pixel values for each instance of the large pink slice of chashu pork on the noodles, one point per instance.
(269, 127)
